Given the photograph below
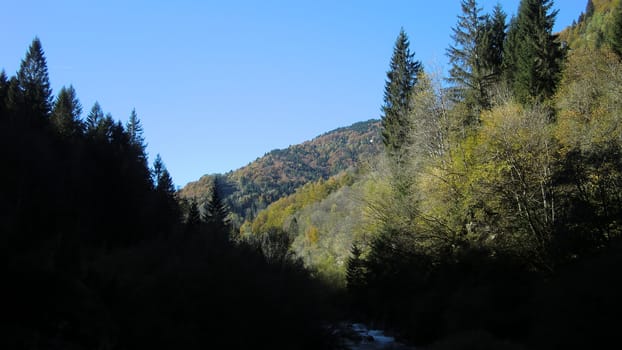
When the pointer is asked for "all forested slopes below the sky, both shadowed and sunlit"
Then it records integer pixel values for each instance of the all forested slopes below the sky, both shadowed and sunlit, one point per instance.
(483, 210)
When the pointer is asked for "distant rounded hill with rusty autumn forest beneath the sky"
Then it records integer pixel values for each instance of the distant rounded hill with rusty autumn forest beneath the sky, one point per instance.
(280, 172)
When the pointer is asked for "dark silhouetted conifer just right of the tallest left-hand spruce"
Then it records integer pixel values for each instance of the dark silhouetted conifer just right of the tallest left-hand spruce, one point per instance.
(66, 113)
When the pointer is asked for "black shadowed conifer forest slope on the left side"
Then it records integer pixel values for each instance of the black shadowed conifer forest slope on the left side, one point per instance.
(99, 253)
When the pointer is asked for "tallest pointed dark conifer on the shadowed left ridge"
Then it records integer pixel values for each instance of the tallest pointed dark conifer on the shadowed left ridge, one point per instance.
(34, 84)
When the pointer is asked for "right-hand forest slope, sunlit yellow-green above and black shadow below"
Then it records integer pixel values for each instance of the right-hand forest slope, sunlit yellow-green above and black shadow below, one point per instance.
(492, 218)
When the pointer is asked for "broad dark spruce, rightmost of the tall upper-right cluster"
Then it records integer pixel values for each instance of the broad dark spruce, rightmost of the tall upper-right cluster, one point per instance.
(534, 54)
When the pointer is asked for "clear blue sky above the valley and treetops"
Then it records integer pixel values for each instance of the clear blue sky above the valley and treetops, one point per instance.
(217, 84)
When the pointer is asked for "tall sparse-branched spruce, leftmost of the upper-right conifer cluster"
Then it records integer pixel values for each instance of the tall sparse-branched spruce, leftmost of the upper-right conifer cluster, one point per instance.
(467, 73)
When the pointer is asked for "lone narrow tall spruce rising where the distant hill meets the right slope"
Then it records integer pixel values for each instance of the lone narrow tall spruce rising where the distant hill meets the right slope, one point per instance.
(401, 78)
